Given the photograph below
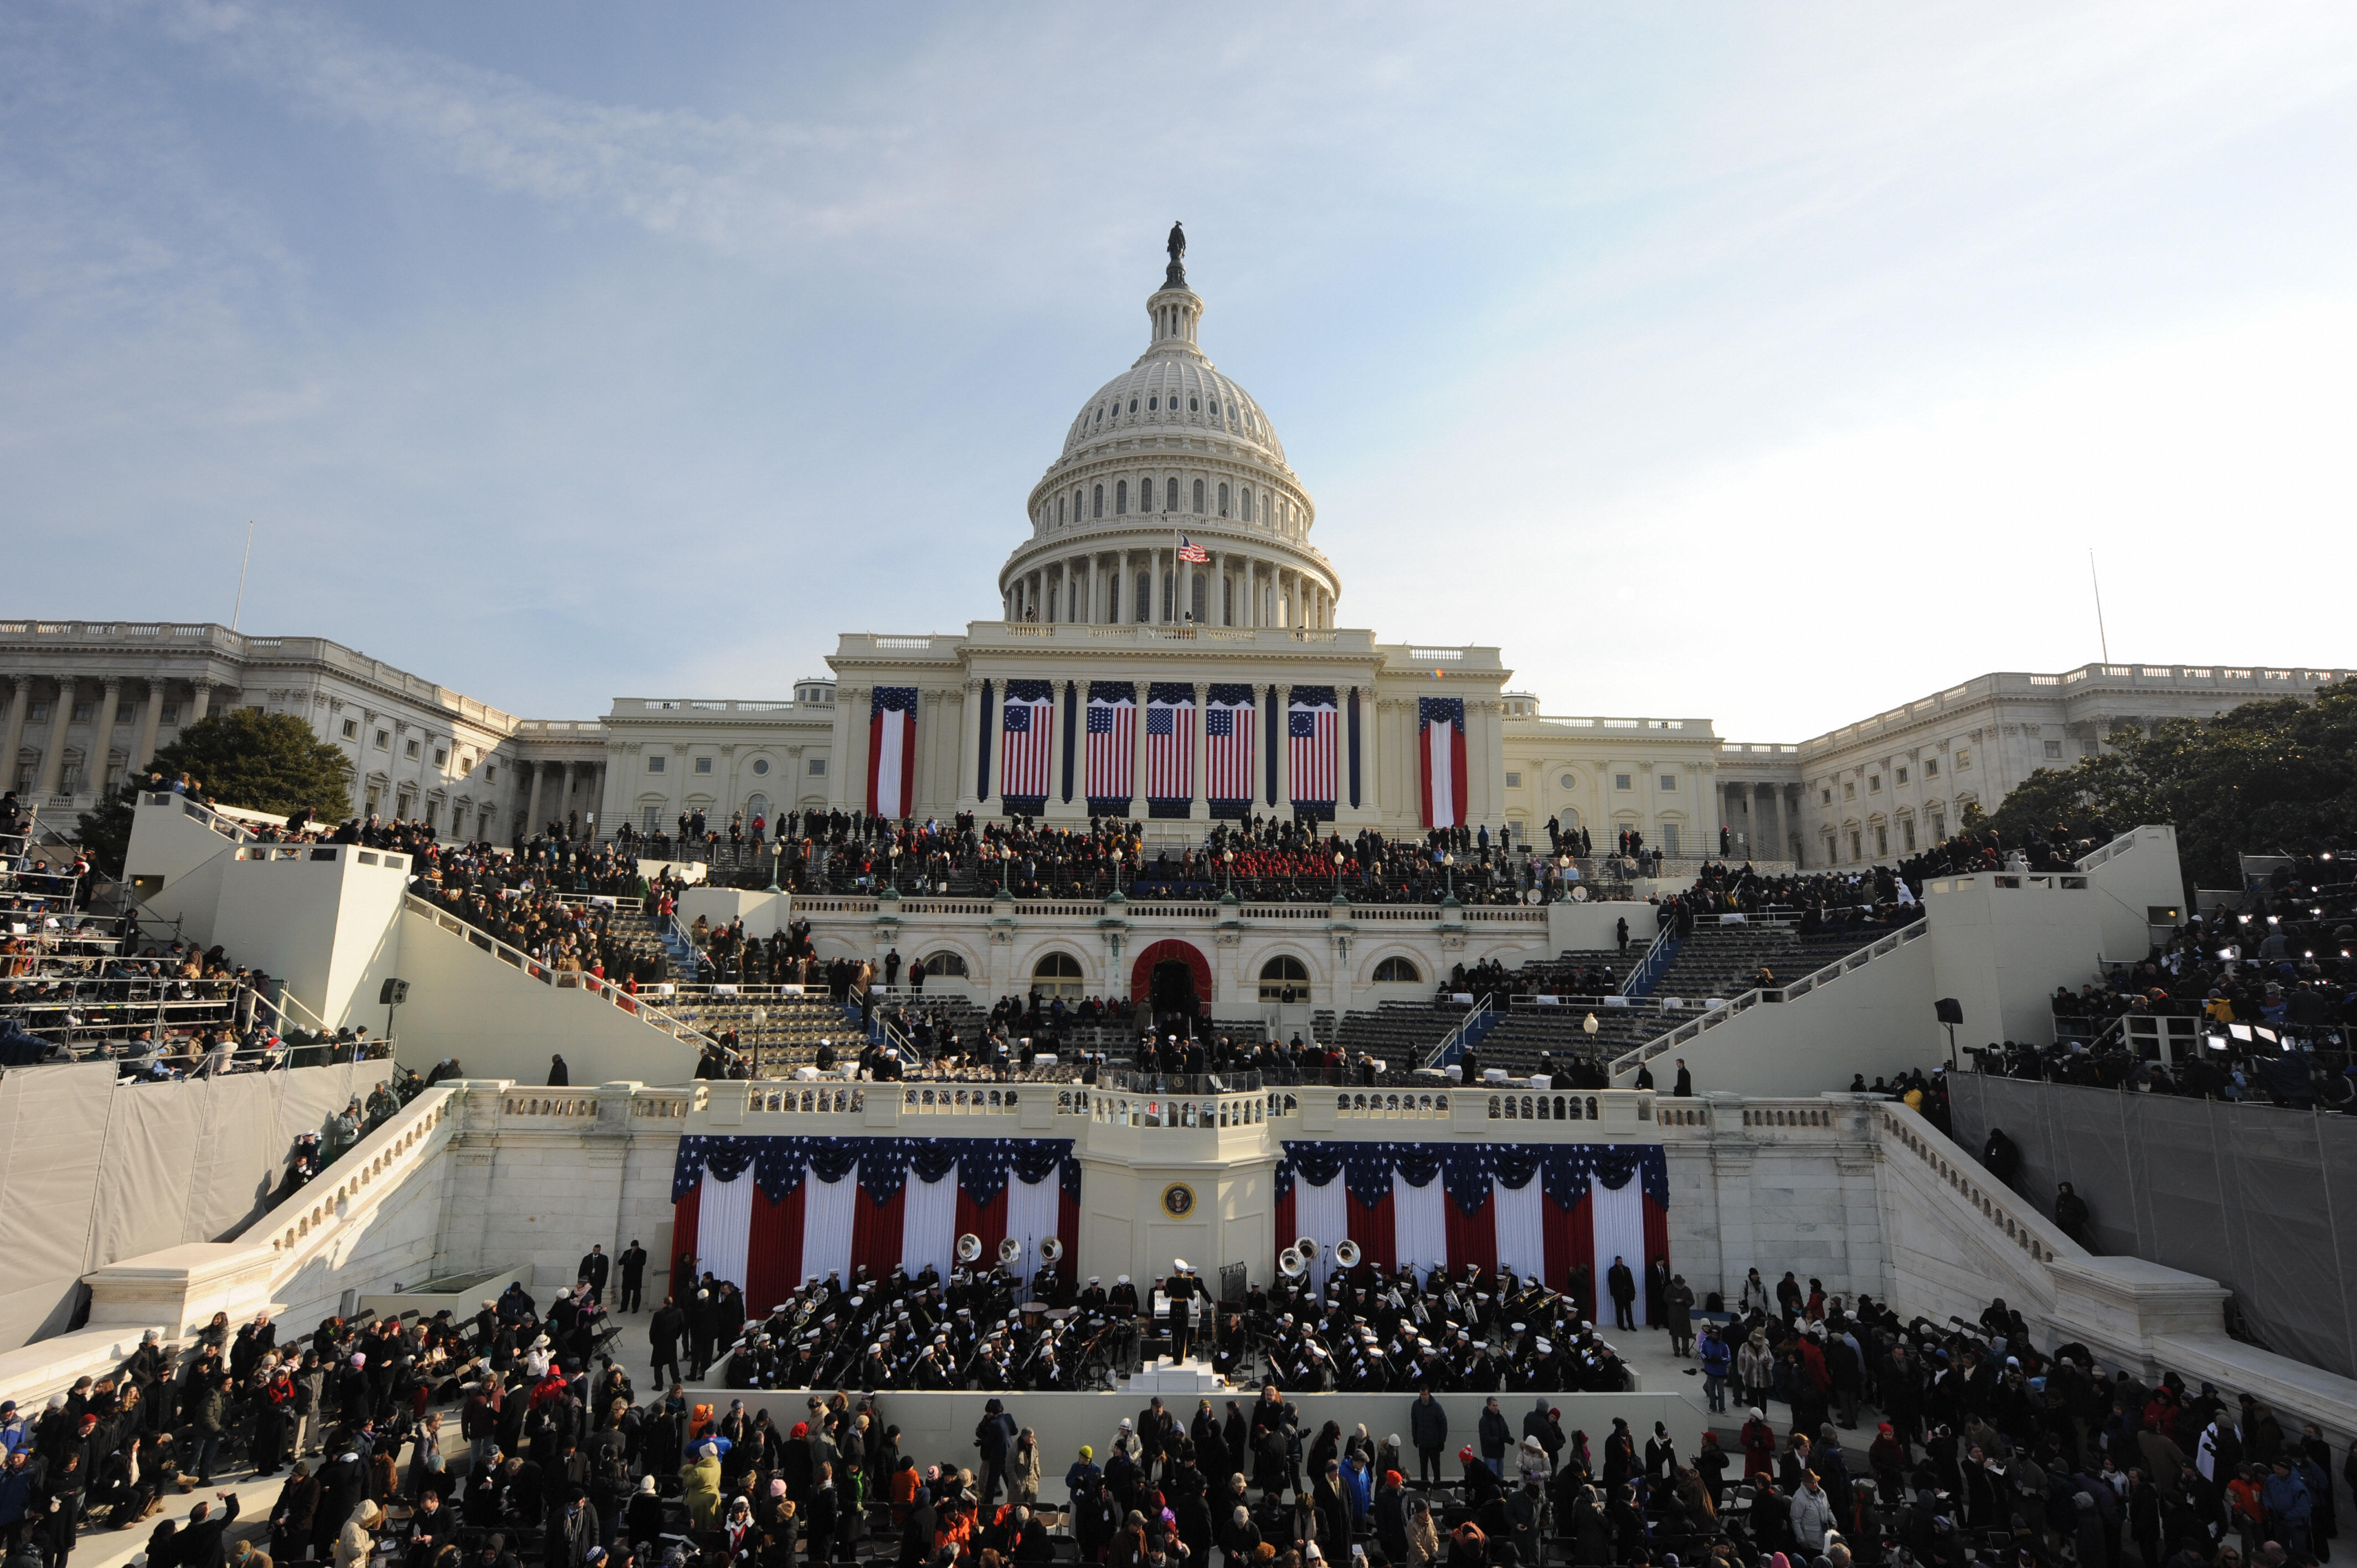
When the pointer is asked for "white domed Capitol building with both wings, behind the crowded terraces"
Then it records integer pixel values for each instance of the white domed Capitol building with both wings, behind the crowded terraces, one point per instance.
(1168, 546)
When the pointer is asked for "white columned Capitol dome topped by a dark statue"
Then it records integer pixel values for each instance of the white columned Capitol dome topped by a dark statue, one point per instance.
(1170, 447)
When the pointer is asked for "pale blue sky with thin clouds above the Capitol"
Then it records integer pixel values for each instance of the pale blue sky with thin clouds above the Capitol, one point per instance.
(1767, 364)
